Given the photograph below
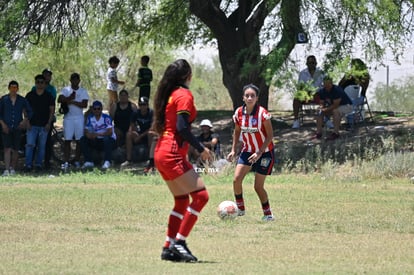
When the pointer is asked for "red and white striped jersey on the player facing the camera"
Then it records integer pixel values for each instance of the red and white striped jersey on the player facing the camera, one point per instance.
(253, 132)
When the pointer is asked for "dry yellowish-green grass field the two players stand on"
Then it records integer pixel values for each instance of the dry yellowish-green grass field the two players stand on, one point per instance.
(115, 223)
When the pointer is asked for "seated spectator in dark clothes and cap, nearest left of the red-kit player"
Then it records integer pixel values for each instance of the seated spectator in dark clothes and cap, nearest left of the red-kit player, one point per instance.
(139, 129)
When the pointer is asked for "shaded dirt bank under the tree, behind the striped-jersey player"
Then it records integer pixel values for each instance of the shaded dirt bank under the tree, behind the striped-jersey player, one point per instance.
(383, 124)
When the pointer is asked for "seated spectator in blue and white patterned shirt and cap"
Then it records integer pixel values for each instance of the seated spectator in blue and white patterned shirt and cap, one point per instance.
(98, 134)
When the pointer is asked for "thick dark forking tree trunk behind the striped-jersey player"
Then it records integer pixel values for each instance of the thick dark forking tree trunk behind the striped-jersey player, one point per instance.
(239, 43)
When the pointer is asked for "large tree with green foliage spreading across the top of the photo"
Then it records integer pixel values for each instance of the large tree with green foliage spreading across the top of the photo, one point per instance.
(254, 38)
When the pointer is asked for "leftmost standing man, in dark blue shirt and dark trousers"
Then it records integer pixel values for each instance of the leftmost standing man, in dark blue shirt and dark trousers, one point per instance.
(14, 114)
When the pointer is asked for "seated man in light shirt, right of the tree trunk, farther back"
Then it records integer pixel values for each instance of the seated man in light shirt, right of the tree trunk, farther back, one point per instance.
(312, 76)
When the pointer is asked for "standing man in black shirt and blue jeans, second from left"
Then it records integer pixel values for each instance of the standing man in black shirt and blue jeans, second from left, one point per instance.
(43, 106)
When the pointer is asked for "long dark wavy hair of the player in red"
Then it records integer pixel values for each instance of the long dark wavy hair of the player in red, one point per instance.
(174, 76)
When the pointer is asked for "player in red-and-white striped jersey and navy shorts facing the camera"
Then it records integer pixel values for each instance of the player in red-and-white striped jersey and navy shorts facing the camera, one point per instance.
(252, 122)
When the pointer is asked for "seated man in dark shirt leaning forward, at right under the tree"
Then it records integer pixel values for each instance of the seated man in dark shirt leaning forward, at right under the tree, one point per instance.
(333, 101)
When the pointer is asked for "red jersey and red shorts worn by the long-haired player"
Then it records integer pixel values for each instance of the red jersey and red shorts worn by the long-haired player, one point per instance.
(171, 151)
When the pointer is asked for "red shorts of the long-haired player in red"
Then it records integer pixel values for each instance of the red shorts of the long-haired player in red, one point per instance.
(171, 165)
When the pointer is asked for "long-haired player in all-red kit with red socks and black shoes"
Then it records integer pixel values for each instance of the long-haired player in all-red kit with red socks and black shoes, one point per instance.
(174, 112)
